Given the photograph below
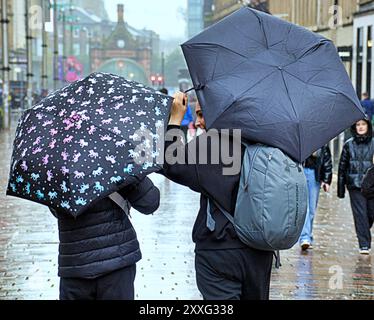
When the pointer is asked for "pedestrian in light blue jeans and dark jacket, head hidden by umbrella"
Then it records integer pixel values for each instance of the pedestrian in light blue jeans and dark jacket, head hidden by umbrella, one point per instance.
(318, 173)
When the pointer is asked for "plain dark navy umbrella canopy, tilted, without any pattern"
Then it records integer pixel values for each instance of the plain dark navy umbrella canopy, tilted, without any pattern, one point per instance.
(281, 84)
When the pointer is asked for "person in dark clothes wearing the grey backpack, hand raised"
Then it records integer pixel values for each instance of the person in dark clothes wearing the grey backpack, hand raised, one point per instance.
(226, 269)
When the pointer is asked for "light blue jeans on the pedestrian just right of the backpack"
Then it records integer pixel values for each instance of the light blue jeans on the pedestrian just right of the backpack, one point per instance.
(313, 195)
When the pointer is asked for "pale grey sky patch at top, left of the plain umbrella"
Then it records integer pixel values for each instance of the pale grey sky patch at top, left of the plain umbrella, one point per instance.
(162, 16)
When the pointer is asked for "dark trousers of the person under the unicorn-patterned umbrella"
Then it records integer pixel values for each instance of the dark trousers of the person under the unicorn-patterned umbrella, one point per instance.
(117, 285)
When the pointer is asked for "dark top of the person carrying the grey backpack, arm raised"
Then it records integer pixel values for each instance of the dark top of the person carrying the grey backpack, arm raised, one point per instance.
(208, 180)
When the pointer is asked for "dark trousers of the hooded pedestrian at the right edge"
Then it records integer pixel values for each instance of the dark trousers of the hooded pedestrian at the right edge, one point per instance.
(363, 216)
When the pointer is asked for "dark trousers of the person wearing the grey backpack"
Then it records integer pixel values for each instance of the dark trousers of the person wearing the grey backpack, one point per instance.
(233, 274)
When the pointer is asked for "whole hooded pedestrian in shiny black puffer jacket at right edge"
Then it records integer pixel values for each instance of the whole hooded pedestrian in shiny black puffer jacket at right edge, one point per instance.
(355, 160)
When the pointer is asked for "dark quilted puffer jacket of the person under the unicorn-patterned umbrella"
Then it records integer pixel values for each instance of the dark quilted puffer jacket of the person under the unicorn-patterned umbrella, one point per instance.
(103, 239)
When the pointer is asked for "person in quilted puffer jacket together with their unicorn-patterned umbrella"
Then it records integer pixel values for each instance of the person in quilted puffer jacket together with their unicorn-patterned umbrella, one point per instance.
(71, 152)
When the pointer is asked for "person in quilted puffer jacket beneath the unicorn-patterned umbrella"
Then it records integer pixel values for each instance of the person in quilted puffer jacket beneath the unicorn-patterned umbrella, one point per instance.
(99, 249)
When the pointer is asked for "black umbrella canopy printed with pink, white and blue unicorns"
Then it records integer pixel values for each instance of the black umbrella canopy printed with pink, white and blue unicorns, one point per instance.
(84, 142)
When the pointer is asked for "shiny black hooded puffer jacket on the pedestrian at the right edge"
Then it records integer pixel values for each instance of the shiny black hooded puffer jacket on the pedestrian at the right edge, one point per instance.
(355, 160)
